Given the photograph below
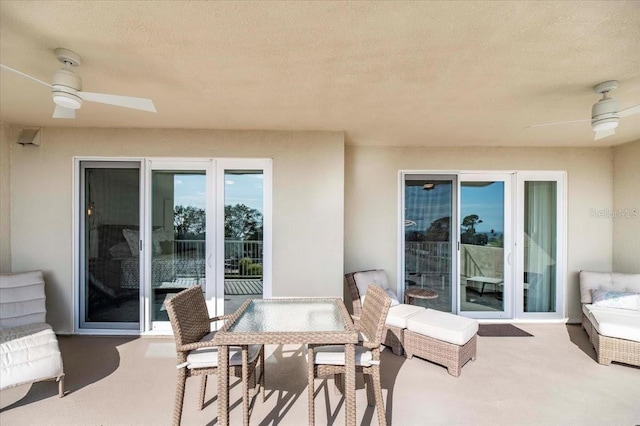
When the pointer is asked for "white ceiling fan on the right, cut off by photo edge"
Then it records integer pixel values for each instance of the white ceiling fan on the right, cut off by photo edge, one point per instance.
(605, 116)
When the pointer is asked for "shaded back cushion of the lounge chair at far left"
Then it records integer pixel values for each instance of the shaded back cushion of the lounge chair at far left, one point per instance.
(22, 299)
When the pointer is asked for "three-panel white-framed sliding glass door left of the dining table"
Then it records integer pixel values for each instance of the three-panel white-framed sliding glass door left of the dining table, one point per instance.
(148, 229)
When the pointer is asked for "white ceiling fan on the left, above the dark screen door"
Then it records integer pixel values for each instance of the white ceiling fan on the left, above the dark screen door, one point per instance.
(67, 94)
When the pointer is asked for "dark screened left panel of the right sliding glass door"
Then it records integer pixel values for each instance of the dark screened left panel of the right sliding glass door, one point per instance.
(428, 240)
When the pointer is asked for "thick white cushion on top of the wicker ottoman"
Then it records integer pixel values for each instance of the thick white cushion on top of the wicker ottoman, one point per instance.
(443, 326)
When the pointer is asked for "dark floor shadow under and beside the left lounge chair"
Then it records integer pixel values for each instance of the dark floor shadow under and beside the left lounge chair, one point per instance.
(86, 361)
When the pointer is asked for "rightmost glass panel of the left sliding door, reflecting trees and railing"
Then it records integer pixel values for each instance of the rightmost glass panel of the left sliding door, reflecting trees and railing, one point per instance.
(243, 236)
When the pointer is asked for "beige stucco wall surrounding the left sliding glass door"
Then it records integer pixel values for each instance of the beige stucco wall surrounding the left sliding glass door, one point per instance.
(308, 201)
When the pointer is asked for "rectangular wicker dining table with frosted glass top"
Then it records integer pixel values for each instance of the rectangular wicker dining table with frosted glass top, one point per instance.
(287, 321)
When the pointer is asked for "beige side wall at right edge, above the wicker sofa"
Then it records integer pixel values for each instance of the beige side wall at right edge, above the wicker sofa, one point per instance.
(626, 208)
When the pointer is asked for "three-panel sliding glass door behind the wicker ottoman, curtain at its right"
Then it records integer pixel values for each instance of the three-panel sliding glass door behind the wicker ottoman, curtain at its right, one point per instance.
(485, 252)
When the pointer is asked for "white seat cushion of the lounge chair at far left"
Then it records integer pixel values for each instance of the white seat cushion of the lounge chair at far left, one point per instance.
(29, 353)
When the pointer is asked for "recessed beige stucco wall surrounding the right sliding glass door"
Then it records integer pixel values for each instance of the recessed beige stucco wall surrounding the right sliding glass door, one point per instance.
(371, 206)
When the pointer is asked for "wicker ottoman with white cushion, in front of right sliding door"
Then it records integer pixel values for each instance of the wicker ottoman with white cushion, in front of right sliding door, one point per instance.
(442, 338)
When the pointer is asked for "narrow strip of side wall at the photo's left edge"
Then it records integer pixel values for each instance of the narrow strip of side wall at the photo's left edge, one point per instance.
(5, 200)
